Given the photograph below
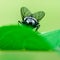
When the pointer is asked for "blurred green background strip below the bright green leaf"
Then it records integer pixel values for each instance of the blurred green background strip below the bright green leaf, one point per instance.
(28, 55)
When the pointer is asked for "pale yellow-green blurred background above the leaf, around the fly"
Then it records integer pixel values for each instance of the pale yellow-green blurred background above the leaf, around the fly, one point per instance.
(10, 12)
